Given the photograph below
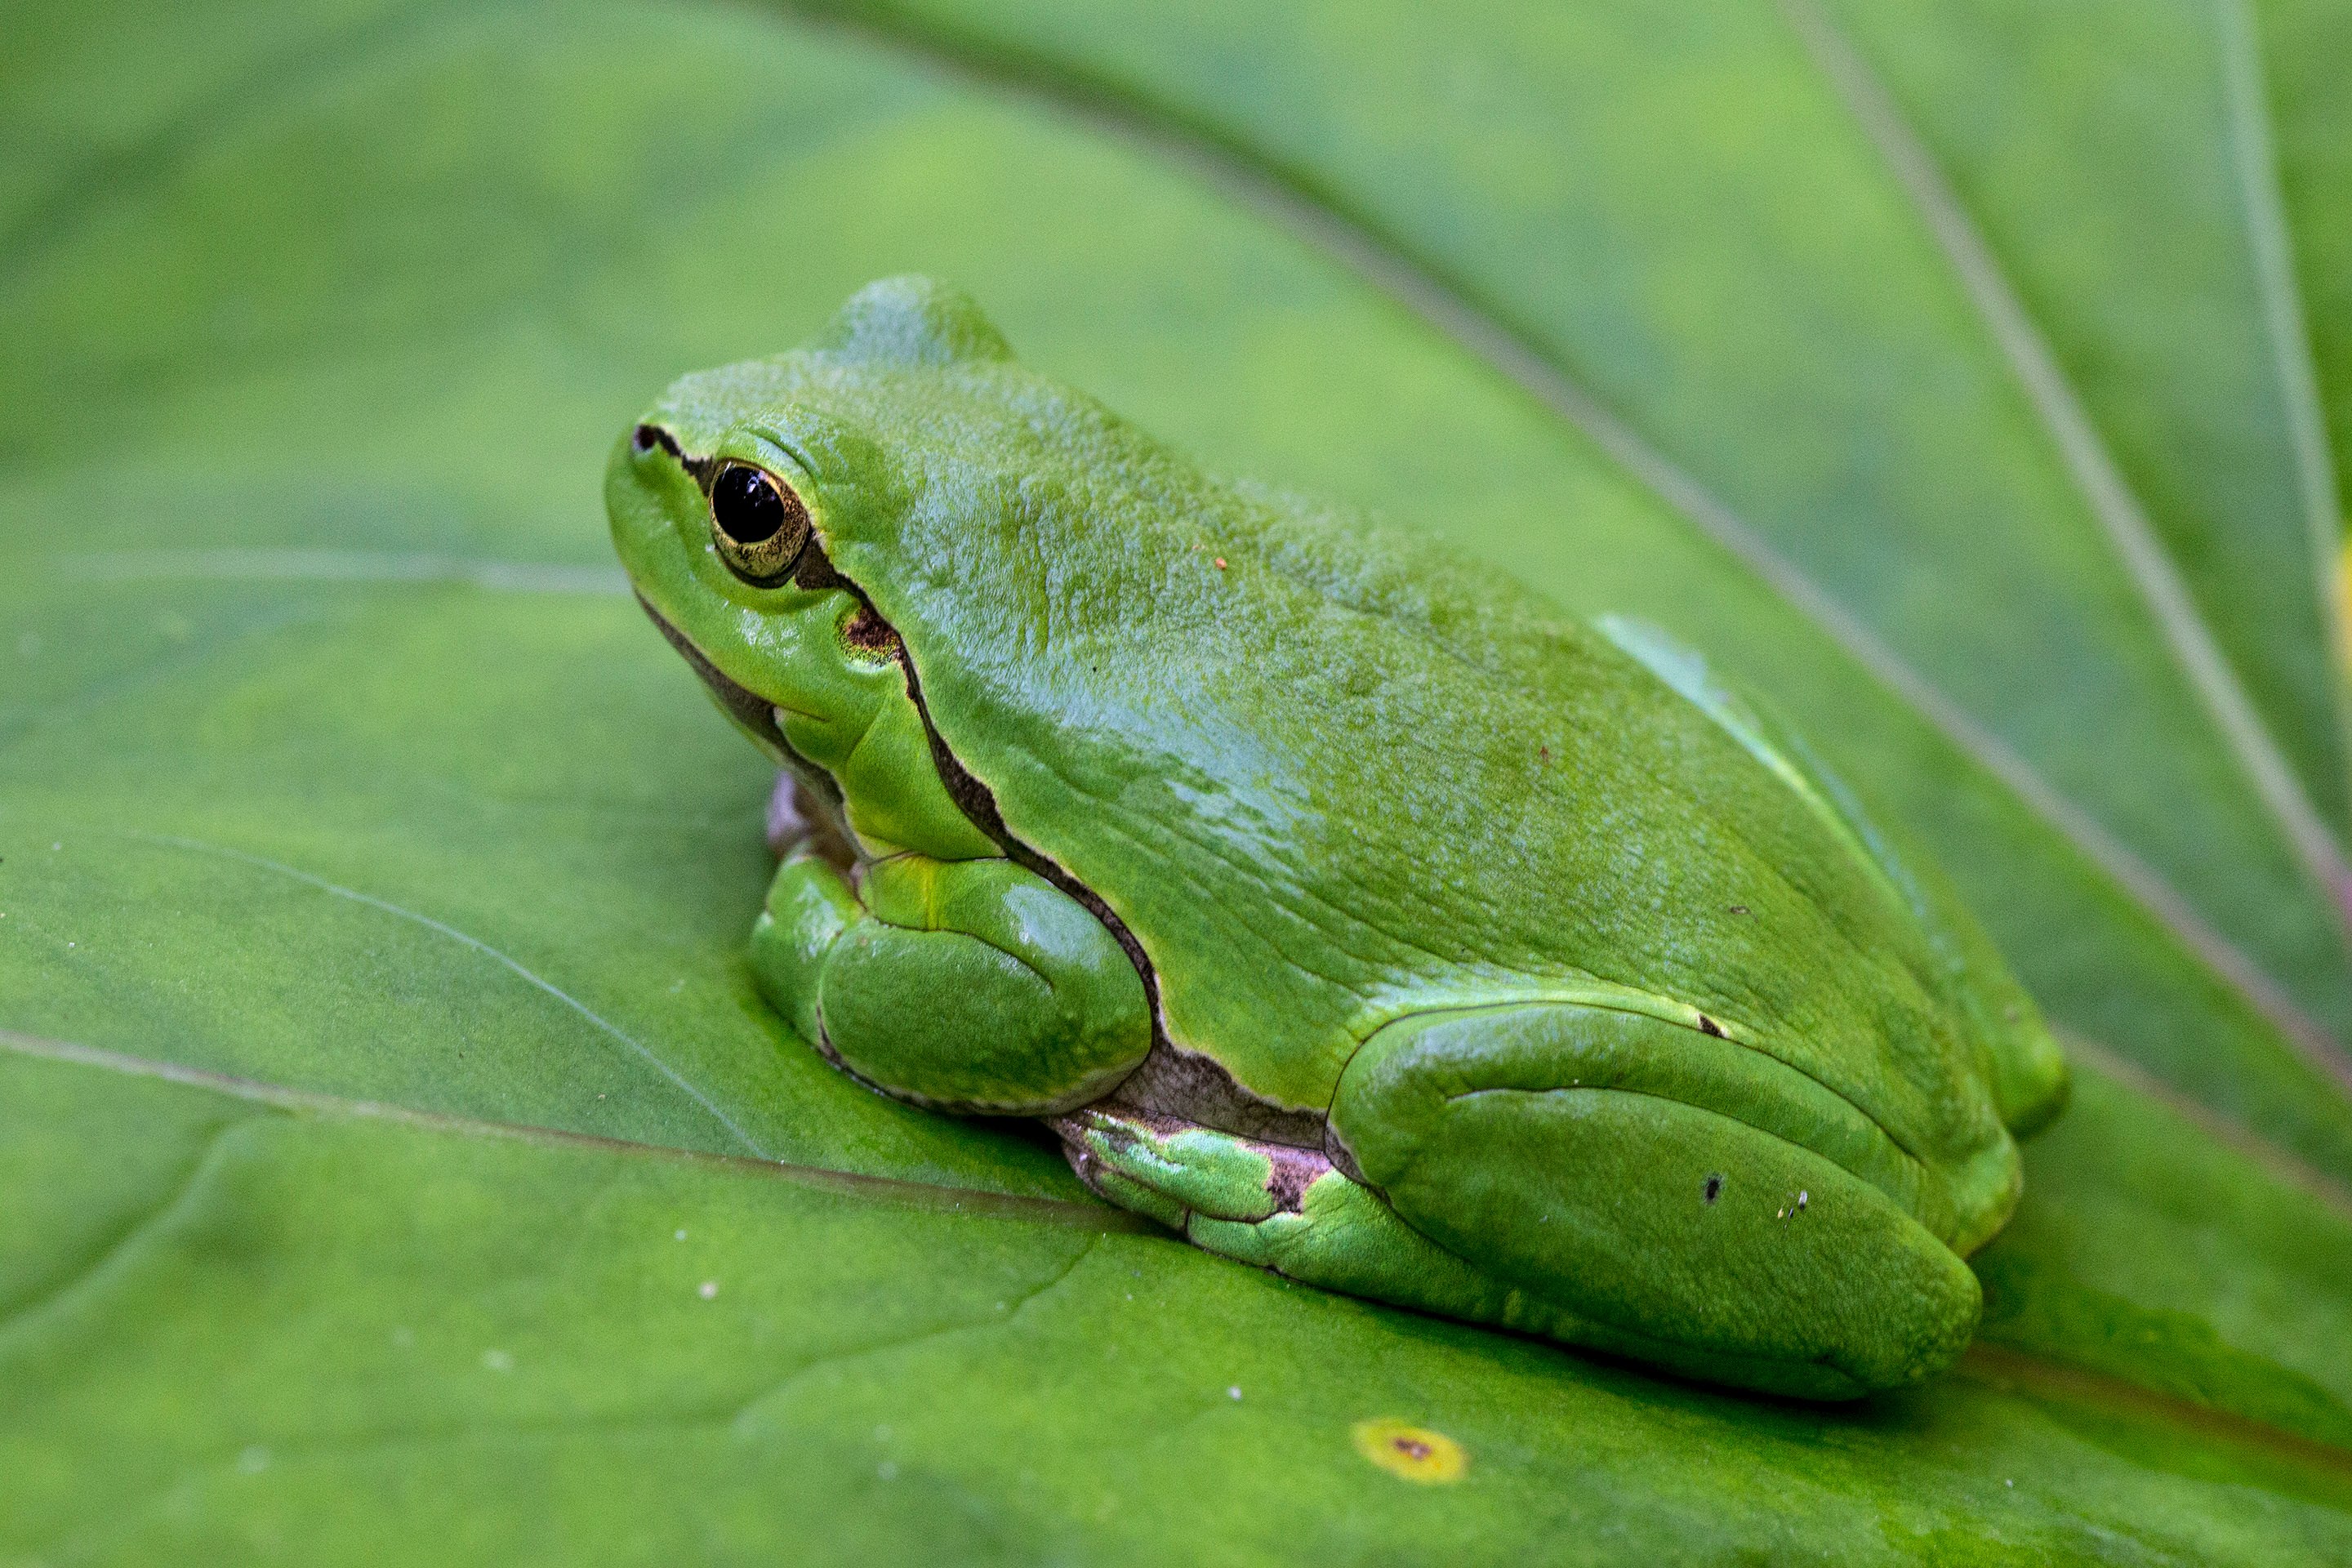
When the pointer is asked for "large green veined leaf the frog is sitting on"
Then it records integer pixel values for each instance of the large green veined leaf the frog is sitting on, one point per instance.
(373, 880)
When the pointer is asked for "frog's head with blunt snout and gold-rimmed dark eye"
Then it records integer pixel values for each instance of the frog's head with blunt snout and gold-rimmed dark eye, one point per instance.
(735, 495)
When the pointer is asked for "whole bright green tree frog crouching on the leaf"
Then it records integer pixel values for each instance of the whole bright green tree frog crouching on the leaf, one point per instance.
(1339, 906)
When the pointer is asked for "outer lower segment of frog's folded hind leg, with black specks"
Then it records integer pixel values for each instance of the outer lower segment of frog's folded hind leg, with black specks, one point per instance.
(1652, 1226)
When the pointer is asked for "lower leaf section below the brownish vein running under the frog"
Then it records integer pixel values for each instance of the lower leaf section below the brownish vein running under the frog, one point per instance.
(554, 1351)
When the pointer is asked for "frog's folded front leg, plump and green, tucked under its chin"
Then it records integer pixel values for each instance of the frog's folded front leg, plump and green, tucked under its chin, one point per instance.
(968, 986)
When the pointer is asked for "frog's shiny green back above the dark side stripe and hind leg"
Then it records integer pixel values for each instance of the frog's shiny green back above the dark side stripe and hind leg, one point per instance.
(1330, 779)
